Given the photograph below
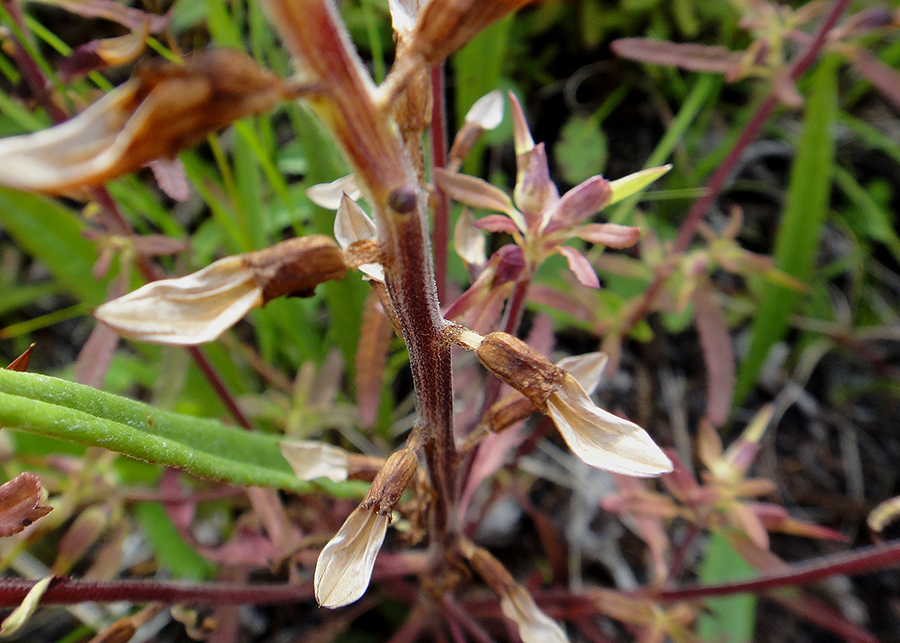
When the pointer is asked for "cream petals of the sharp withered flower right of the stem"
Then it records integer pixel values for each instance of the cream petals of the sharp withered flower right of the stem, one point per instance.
(601, 439)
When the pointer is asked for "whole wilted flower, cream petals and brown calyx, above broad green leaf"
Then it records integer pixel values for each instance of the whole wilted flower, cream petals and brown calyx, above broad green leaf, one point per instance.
(201, 306)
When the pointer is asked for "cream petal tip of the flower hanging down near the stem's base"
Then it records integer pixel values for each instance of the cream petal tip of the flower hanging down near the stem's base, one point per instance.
(345, 565)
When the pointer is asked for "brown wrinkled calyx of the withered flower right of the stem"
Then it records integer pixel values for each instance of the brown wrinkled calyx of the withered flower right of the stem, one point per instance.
(520, 366)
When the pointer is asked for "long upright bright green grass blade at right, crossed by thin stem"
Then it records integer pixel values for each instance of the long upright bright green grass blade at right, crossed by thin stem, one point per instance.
(806, 206)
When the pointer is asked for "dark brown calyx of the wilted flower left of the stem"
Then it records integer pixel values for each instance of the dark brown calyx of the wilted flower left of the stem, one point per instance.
(295, 267)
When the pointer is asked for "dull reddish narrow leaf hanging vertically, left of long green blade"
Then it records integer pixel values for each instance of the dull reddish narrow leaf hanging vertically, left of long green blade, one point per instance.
(717, 354)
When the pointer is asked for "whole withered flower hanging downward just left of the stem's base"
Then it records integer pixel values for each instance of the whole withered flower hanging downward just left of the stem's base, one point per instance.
(345, 565)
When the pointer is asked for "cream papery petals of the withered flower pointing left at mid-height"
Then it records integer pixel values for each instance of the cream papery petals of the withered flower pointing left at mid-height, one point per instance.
(189, 310)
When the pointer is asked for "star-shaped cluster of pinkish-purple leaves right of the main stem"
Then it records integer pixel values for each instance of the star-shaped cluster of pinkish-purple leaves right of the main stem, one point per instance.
(538, 218)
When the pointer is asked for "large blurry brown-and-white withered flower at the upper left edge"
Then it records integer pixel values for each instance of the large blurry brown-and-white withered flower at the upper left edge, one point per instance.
(164, 108)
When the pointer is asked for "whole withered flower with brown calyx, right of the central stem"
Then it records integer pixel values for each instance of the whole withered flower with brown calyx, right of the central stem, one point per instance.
(598, 437)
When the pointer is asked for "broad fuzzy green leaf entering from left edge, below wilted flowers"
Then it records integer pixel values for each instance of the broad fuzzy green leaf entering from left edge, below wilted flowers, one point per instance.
(202, 447)
